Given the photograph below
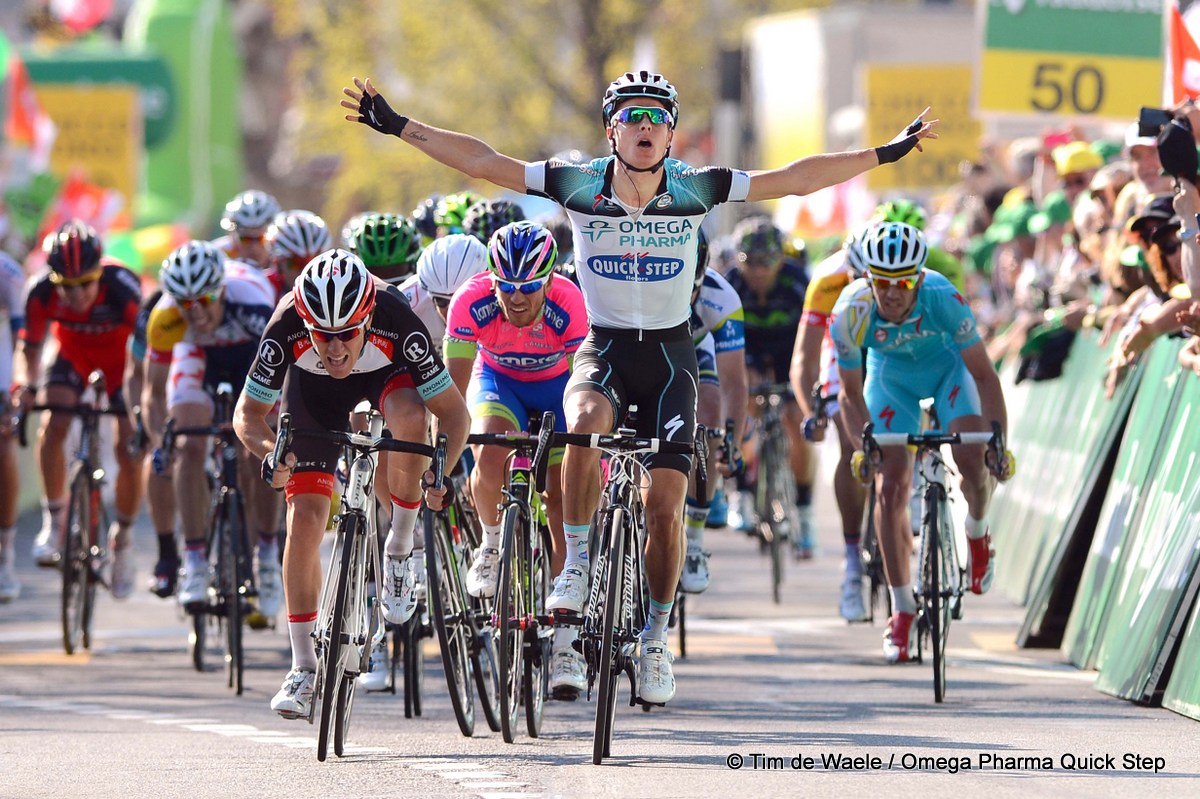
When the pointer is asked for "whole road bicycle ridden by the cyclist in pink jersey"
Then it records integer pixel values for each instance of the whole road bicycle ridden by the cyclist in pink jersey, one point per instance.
(523, 632)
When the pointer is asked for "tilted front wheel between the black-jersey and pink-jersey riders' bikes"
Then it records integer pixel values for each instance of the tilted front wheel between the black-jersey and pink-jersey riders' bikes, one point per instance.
(452, 620)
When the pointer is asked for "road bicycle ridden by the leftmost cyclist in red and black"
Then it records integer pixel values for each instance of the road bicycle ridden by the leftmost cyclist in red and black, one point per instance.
(86, 542)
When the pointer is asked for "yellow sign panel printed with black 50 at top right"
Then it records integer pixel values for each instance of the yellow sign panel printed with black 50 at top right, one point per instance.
(1017, 82)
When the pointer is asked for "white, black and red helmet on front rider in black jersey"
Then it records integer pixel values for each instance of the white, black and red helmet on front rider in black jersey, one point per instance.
(335, 291)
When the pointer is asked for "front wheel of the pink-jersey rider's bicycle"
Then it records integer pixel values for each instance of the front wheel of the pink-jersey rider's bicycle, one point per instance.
(509, 611)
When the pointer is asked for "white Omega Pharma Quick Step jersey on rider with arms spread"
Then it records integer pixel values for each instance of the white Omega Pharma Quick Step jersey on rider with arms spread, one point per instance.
(637, 268)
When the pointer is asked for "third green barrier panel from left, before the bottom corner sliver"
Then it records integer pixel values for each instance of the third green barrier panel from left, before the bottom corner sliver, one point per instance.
(1150, 587)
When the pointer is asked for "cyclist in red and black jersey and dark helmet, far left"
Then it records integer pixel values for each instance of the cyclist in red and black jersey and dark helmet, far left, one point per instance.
(87, 305)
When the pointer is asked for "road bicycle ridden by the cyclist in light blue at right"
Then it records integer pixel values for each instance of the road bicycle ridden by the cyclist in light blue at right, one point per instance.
(943, 578)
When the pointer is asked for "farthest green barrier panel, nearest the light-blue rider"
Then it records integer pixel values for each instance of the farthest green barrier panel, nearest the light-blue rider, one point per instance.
(1061, 432)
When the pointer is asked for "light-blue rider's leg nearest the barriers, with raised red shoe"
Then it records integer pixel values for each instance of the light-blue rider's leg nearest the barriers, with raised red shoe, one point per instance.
(977, 485)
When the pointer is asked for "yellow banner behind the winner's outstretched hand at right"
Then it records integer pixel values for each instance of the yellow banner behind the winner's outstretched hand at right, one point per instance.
(895, 95)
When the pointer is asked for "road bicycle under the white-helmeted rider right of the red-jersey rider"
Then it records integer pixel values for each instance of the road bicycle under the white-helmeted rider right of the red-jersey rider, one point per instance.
(231, 576)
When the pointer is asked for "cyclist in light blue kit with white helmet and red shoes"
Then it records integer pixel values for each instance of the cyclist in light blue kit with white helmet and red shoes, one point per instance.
(922, 343)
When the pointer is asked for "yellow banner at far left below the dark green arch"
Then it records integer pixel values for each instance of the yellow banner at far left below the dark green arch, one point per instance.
(99, 131)
